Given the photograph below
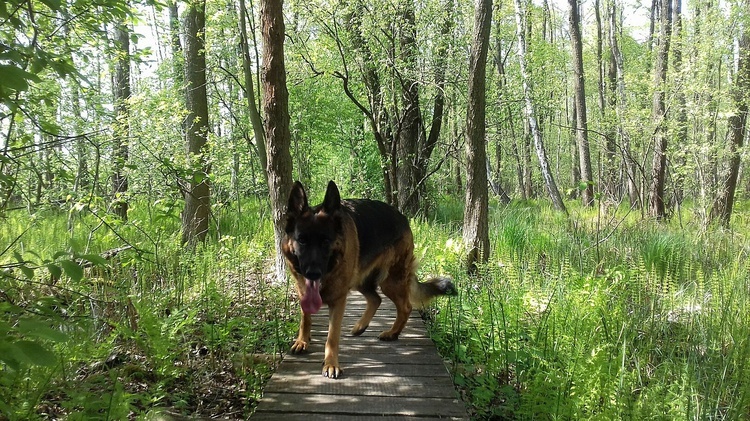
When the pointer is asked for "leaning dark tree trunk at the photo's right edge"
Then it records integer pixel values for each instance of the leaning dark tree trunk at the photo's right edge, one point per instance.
(737, 130)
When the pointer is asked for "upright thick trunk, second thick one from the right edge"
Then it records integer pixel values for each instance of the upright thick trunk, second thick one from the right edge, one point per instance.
(657, 207)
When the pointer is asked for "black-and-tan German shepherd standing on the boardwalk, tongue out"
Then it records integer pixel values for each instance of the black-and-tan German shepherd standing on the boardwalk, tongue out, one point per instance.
(343, 245)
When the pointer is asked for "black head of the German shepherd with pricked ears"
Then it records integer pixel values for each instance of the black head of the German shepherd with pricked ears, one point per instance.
(312, 232)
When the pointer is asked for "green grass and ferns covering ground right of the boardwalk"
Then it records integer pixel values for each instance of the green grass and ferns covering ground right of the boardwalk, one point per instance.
(597, 317)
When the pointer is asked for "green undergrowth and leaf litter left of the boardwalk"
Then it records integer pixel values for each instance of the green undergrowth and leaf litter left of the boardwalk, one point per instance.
(153, 330)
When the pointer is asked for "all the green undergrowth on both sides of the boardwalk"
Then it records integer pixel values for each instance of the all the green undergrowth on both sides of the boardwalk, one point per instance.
(601, 315)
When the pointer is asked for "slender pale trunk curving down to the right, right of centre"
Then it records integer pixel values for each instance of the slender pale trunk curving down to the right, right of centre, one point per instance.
(530, 112)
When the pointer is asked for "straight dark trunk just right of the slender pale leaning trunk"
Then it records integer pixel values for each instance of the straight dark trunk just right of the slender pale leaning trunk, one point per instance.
(587, 194)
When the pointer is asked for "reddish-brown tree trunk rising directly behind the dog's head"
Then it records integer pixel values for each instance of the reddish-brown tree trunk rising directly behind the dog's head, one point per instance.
(276, 110)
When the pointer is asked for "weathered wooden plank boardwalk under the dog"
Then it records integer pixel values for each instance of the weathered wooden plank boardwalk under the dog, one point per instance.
(403, 379)
